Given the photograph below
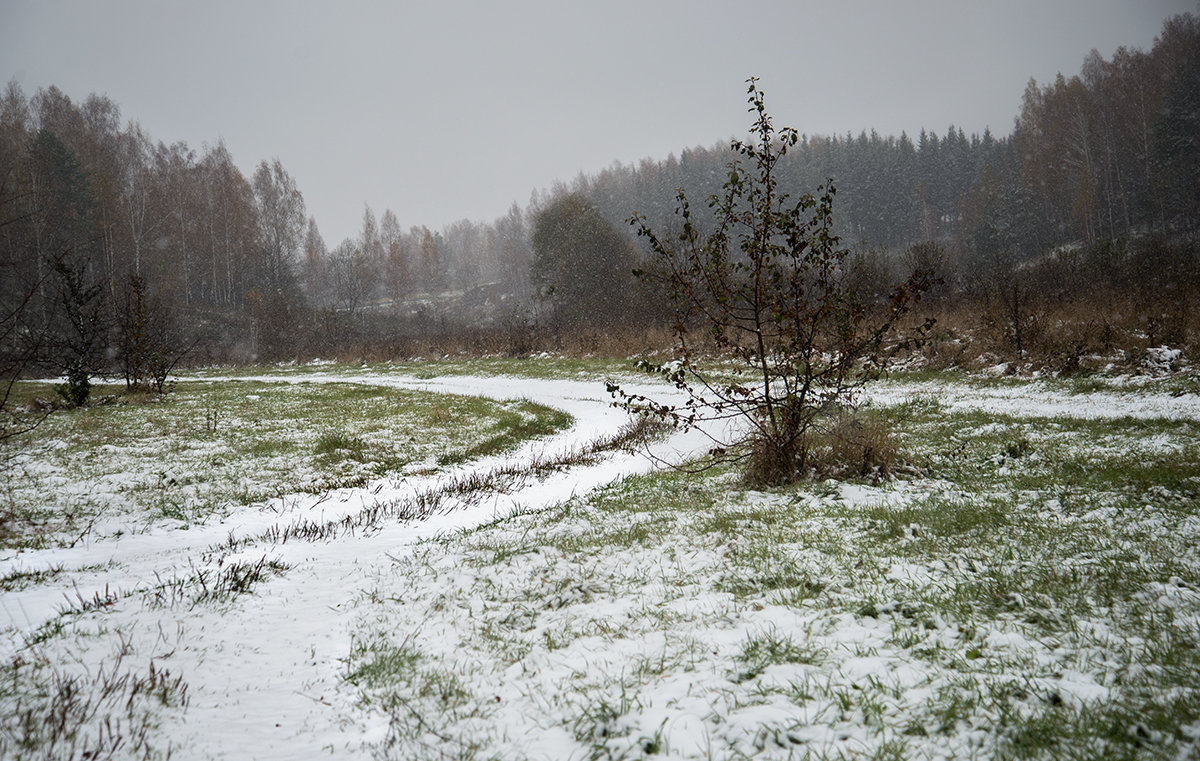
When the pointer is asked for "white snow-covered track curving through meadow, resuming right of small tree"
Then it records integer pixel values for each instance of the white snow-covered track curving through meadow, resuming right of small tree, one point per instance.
(265, 672)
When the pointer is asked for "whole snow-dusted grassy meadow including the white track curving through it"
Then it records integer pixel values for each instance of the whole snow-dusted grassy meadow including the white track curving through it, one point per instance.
(407, 573)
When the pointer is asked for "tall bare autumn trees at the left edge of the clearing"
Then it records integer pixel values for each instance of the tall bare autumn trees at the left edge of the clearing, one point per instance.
(98, 223)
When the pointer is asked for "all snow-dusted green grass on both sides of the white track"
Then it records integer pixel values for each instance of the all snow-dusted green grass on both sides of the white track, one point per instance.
(1029, 590)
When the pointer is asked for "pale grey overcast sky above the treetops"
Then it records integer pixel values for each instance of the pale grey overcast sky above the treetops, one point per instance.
(443, 111)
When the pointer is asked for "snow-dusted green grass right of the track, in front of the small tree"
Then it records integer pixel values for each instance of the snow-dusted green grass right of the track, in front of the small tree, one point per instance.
(1034, 596)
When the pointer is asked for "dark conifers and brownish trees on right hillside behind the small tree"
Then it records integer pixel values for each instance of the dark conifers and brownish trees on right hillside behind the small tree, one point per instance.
(1106, 154)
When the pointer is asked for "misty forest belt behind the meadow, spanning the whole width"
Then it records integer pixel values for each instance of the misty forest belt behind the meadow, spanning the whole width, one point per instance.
(124, 255)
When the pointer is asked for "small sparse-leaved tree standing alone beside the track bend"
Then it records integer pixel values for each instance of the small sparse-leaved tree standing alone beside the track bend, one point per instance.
(766, 289)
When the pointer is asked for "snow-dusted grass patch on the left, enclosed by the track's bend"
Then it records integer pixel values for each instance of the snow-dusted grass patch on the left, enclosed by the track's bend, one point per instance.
(101, 469)
